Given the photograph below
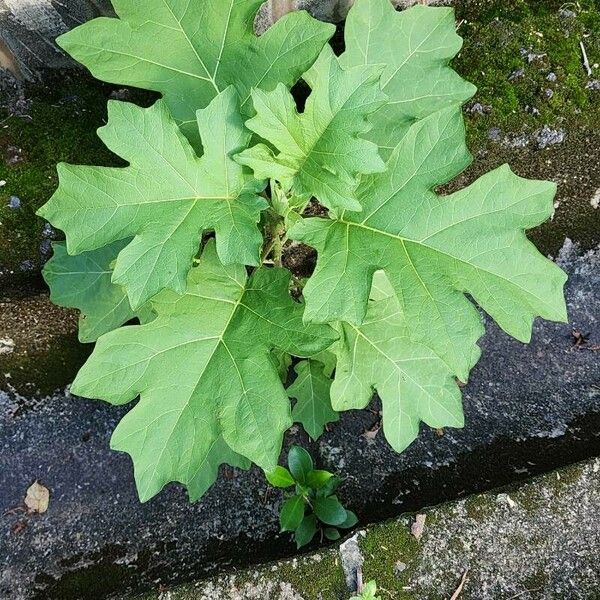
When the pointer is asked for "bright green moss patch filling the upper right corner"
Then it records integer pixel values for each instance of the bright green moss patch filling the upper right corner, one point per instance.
(501, 39)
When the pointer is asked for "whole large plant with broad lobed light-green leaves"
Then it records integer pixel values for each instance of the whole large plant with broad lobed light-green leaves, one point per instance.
(224, 172)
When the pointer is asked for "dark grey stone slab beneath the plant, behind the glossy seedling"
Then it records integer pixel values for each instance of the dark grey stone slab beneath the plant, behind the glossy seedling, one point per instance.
(528, 409)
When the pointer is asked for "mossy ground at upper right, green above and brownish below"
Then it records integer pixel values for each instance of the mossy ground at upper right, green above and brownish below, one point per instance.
(498, 39)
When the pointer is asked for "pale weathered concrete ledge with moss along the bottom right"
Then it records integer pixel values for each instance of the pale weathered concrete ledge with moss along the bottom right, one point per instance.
(536, 541)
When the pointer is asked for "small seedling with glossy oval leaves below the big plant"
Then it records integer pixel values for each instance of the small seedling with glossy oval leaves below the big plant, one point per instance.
(313, 508)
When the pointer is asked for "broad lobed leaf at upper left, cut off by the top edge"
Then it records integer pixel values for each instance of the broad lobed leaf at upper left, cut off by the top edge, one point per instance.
(192, 50)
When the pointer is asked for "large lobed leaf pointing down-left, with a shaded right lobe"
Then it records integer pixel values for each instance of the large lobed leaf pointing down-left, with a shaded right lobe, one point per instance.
(203, 369)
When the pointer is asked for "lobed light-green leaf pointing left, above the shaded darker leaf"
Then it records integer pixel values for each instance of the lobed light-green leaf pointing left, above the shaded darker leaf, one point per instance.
(164, 199)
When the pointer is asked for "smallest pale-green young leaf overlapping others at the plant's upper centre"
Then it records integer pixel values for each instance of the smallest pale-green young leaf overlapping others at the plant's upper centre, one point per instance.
(319, 152)
